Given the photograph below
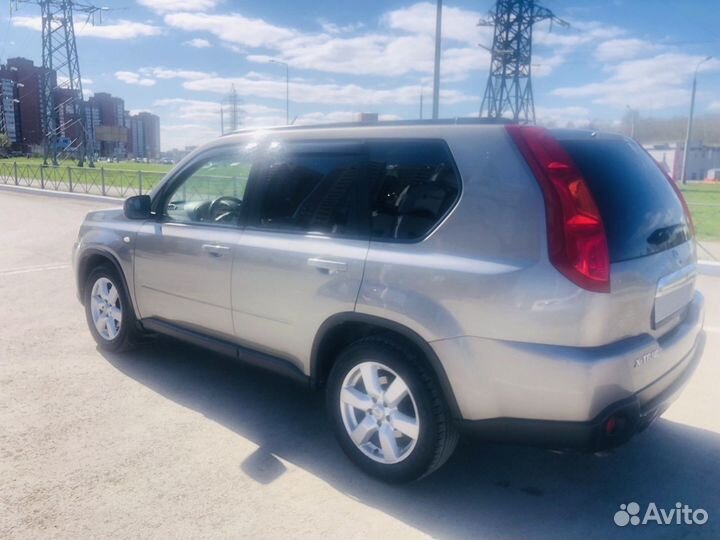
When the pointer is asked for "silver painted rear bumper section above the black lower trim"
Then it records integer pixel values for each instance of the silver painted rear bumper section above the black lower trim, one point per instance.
(495, 379)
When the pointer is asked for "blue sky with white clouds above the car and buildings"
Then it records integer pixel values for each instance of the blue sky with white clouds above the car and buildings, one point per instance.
(179, 58)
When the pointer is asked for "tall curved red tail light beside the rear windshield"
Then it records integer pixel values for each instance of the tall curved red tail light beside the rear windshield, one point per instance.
(577, 243)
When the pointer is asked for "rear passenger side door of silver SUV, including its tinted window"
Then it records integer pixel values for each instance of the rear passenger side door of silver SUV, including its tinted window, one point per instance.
(301, 256)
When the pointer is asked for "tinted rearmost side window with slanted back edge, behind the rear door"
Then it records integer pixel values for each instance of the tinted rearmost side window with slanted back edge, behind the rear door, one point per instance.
(413, 185)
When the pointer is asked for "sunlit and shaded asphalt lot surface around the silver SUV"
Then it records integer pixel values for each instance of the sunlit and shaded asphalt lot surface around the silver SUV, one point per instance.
(174, 442)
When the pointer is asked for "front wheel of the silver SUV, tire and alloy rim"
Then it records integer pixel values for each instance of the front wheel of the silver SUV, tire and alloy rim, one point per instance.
(109, 312)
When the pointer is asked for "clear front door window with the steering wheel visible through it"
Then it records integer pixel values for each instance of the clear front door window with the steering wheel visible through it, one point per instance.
(213, 192)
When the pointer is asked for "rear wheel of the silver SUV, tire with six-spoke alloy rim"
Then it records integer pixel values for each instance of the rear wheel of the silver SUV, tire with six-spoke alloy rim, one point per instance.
(390, 437)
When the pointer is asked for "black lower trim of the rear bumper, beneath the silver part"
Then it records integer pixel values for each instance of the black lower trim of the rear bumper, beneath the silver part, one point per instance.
(628, 416)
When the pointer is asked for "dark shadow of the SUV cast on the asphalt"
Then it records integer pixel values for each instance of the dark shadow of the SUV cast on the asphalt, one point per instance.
(485, 490)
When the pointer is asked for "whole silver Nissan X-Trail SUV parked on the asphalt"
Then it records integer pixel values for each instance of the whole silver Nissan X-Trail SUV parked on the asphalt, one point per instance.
(527, 285)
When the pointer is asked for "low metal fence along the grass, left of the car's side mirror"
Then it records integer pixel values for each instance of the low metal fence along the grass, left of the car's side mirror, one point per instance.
(98, 181)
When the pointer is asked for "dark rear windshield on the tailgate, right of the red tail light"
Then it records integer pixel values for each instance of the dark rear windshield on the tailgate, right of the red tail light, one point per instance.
(640, 210)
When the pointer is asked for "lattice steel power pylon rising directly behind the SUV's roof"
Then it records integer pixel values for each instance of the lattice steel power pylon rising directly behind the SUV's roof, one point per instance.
(509, 85)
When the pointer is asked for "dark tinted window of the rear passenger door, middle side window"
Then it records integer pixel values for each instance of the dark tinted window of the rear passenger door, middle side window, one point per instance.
(313, 192)
